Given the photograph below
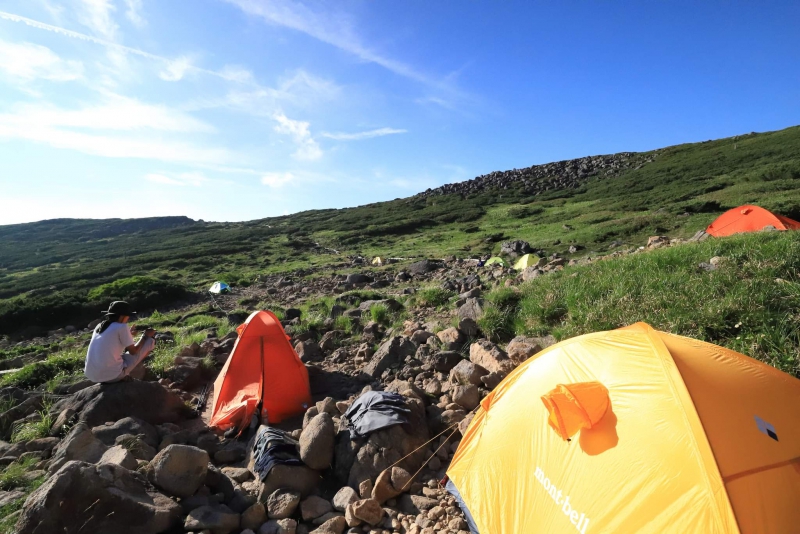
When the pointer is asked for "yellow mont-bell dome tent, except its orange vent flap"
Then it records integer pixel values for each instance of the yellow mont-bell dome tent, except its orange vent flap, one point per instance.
(685, 445)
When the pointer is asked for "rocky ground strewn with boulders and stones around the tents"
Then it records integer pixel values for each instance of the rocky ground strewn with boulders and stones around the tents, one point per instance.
(135, 457)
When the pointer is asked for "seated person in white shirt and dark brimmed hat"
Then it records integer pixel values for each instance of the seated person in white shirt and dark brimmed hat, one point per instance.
(112, 353)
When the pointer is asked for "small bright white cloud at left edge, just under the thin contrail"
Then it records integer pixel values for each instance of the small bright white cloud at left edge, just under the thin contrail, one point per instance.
(28, 61)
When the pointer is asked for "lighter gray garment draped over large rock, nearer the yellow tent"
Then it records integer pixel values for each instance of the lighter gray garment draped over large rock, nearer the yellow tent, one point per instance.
(375, 410)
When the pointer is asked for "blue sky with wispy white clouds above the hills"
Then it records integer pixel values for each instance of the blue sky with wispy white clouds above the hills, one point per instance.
(239, 109)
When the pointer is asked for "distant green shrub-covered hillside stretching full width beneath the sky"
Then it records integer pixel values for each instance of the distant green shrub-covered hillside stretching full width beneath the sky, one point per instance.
(54, 269)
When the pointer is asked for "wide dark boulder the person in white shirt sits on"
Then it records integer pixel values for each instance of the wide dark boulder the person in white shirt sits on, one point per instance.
(148, 401)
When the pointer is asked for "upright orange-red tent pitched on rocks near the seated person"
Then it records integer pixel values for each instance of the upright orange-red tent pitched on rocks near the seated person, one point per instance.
(262, 366)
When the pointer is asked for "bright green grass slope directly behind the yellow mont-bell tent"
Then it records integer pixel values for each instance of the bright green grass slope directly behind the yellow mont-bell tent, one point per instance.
(750, 304)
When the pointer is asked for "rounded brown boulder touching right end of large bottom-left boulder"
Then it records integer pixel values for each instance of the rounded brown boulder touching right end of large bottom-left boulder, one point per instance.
(180, 470)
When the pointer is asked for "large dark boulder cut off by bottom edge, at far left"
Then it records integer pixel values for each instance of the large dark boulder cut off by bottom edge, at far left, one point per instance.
(81, 497)
